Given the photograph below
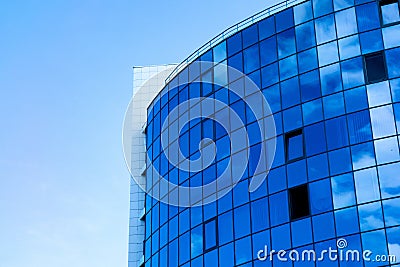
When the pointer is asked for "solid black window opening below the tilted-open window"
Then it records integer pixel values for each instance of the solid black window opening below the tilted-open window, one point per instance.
(299, 202)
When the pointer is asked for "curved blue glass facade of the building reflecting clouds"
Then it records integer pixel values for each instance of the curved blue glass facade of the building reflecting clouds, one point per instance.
(330, 71)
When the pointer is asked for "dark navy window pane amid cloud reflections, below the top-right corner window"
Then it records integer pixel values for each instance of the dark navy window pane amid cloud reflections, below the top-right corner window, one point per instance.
(375, 67)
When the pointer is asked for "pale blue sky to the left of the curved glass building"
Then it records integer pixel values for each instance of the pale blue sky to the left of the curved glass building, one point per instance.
(65, 82)
